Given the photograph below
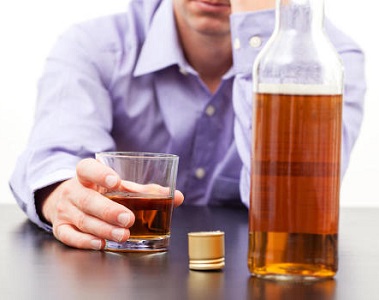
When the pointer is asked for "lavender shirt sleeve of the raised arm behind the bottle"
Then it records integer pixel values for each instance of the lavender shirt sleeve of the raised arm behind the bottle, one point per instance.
(250, 32)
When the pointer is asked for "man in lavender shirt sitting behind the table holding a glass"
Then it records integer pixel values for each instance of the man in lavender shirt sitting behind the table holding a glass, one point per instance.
(168, 76)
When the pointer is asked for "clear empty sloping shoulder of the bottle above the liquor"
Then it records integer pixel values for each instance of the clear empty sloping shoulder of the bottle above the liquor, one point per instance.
(293, 59)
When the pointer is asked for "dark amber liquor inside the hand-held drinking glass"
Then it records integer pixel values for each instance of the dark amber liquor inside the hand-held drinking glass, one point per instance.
(152, 213)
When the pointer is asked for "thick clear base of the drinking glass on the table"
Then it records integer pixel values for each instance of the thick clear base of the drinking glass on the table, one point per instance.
(139, 245)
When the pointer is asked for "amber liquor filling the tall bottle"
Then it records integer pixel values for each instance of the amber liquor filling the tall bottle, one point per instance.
(295, 182)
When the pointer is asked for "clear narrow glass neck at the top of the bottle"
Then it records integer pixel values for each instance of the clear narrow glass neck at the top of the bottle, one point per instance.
(300, 15)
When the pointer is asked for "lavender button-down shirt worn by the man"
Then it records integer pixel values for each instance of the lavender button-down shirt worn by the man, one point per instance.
(122, 83)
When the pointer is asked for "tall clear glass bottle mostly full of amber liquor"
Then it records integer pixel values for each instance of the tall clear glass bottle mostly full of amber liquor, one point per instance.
(296, 148)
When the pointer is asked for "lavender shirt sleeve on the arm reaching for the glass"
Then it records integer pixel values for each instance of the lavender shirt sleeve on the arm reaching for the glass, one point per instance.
(73, 118)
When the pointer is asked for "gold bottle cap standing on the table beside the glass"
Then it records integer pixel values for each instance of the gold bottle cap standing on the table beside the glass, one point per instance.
(206, 250)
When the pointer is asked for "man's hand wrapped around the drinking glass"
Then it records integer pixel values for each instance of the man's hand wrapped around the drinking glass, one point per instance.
(80, 215)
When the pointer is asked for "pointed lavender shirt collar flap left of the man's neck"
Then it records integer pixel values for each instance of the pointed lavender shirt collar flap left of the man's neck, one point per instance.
(161, 48)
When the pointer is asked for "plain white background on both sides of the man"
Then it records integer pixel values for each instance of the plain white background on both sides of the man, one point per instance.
(28, 29)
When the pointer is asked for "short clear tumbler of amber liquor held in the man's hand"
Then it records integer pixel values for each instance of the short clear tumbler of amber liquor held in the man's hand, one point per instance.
(148, 182)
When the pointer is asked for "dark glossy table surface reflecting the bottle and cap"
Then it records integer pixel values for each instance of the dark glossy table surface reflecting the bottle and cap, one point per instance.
(33, 265)
